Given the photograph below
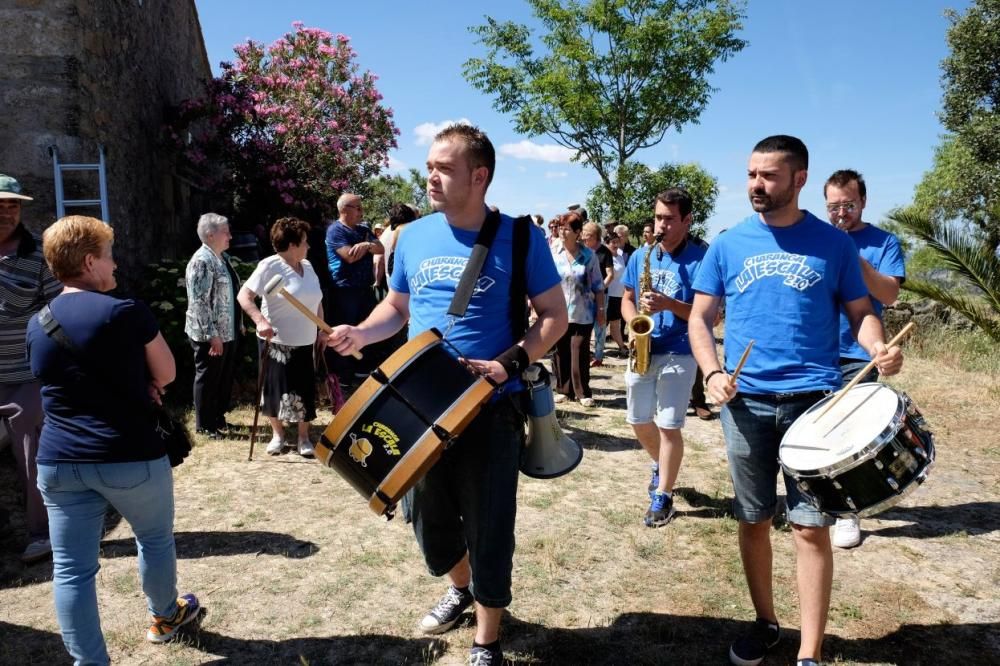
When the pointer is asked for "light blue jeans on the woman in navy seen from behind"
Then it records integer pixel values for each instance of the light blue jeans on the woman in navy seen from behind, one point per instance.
(77, 496)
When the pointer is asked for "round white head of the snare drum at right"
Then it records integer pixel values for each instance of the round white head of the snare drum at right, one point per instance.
(855, 422)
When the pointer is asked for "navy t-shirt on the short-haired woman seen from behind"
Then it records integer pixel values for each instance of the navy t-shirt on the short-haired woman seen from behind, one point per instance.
(96, 400)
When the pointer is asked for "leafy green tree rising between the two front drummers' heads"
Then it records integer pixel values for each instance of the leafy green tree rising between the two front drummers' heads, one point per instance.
(614, 78)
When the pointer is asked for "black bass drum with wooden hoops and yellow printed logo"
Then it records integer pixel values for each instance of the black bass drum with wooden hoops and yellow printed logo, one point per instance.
(395, 426)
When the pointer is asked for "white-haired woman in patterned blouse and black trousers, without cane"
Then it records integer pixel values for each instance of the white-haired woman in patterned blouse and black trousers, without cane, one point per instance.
(213, 324)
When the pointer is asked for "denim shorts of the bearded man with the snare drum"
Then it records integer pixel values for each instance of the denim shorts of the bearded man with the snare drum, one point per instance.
(753, 426)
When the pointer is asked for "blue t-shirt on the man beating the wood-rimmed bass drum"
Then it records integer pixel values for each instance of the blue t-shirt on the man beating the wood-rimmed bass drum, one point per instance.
(429, 260)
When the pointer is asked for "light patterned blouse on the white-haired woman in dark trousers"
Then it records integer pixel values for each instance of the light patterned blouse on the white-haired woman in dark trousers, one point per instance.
(211, 297)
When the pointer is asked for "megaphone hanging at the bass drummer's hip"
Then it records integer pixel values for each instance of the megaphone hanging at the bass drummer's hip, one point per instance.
(549, 453)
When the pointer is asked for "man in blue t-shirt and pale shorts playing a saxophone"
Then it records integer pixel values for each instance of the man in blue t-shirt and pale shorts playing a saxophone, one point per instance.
(661, 370)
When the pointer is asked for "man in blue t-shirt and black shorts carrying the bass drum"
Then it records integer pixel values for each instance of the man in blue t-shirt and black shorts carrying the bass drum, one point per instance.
(463, 510)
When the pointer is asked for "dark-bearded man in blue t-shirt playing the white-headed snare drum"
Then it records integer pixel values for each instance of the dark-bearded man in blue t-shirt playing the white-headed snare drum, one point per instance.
(784, 274)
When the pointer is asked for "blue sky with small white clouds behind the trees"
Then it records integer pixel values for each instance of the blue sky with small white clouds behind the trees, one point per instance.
(858, 81)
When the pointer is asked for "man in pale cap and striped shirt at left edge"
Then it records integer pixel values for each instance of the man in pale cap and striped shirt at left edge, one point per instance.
(25, 286)
